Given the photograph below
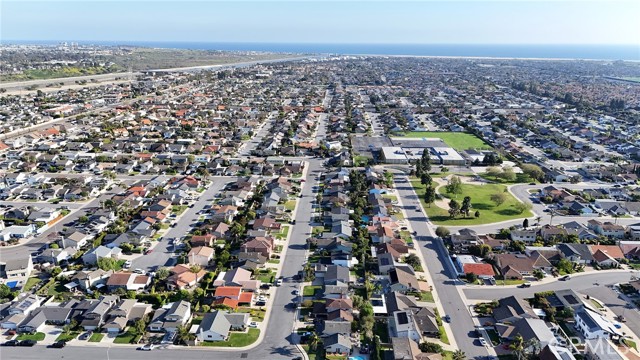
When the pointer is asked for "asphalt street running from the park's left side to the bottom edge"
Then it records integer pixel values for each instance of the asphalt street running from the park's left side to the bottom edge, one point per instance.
(442, 273)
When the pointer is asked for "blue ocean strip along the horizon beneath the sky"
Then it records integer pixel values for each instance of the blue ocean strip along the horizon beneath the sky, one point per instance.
(600, 52)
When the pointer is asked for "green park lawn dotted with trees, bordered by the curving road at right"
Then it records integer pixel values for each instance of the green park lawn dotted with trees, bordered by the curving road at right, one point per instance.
(480, 200)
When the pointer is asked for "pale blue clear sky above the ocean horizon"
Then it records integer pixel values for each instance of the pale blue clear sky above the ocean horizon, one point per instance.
(305, 21)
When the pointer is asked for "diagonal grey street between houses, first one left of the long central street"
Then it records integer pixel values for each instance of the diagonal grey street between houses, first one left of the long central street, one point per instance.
(162, 254)
